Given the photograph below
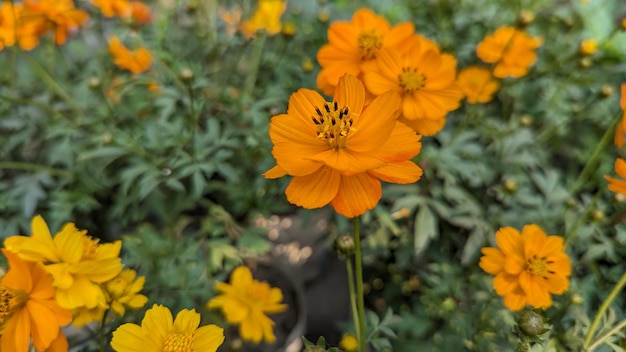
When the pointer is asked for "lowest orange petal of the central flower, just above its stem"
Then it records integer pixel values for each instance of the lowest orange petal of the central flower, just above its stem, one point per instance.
(357, 194)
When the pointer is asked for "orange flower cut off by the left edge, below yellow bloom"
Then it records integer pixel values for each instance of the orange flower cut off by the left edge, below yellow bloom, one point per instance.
(28, 308)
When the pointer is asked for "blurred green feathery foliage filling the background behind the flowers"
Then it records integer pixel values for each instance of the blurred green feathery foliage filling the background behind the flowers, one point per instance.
(176, 170)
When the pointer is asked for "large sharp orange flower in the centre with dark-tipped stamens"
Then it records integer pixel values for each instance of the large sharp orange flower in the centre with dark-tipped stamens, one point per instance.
(338, 151)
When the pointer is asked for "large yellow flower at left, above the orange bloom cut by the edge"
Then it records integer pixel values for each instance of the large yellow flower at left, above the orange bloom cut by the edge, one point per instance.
(77, 262)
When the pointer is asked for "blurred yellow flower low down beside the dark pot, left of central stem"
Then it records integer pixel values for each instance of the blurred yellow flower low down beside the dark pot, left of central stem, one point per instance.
(247, 302)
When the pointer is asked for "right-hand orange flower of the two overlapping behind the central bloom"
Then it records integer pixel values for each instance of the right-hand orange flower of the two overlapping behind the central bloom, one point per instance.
(424, 78)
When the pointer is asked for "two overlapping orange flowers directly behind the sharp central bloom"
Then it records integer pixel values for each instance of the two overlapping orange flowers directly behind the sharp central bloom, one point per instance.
(392, 59)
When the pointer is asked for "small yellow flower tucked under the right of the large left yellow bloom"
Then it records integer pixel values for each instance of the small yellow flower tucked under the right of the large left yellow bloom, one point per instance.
(122, 291)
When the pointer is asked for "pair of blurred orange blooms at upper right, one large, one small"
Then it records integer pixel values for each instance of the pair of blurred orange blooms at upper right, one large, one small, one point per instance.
(510, 50)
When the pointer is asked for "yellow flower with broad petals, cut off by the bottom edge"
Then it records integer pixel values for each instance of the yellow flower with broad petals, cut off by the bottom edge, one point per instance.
(158, 333)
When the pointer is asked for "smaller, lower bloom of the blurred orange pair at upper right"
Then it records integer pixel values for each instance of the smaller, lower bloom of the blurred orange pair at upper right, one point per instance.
(477, 84)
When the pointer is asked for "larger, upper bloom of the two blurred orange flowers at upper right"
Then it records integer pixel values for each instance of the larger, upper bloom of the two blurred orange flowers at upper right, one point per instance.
(511, 49)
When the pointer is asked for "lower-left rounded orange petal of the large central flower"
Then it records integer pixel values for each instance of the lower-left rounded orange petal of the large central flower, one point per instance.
(314, 190)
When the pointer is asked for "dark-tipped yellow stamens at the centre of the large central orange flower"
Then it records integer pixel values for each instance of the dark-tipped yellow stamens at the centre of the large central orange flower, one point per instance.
(333, 124)
